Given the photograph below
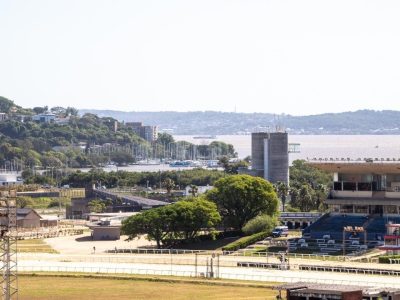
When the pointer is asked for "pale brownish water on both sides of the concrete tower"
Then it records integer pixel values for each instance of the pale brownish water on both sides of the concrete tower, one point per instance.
(320, 146)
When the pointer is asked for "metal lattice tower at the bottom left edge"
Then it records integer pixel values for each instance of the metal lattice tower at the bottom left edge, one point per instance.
(8, 246)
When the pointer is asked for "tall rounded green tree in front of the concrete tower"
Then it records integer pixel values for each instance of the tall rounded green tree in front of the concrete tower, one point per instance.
(240, 198)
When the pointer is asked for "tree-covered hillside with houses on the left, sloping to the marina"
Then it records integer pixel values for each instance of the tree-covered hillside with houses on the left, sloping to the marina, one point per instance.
(66, 139)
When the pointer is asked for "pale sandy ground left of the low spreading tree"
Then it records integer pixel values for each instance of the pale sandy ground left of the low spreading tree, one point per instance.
(83, 244)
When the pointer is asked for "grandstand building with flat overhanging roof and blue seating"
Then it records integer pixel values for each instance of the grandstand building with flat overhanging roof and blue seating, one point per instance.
(364, 195)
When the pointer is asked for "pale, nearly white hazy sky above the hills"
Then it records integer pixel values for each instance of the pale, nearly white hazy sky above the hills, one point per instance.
(283, 56)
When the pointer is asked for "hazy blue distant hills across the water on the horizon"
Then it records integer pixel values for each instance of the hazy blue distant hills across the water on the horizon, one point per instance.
(211, 122)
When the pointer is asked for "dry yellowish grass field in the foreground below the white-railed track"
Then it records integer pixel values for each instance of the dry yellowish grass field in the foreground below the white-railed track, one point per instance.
(47, 287)
